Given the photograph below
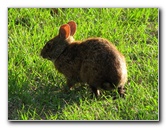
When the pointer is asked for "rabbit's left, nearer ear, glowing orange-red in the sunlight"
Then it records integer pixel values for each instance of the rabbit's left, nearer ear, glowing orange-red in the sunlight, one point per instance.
(64, 31)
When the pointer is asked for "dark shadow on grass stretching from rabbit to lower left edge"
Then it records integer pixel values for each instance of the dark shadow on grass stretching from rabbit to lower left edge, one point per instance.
(41, 101)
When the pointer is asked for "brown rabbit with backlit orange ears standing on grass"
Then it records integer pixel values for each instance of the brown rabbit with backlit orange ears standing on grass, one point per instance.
(94, 61)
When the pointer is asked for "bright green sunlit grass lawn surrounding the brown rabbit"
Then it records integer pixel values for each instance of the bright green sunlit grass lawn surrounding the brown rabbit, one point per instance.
(36, 89)
